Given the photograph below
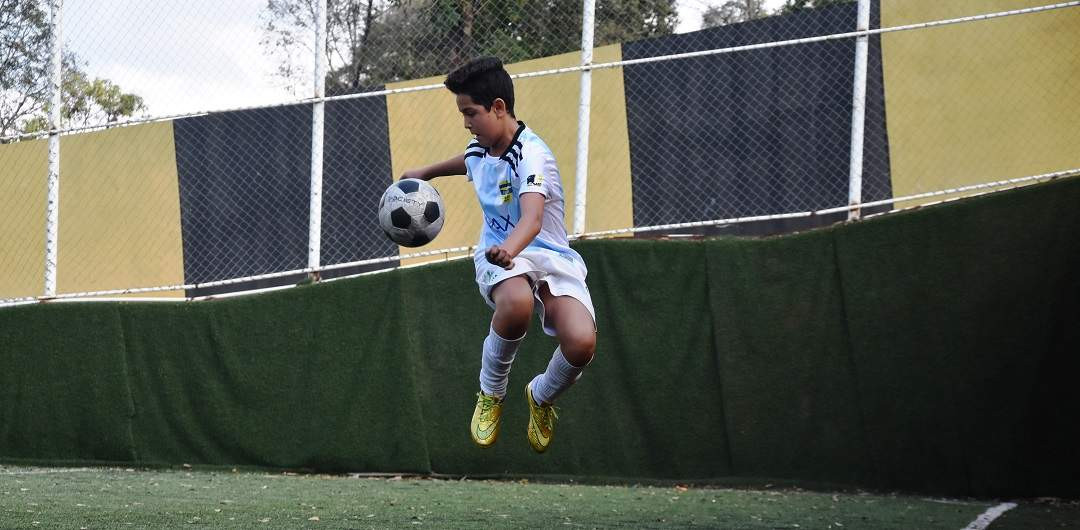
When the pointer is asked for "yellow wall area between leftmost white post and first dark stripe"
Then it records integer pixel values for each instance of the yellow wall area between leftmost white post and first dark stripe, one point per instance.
(120, 211)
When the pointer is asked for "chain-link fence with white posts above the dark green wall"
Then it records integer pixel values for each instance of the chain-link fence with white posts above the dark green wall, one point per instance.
(187, 131)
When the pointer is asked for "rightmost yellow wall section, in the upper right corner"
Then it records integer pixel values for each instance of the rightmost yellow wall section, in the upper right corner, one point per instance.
(980, 102)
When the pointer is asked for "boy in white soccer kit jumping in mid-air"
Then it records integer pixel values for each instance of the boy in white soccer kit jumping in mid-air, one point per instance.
(524, 262)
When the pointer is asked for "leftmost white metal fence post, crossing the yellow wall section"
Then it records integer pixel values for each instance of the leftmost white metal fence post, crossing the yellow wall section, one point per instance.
(52, 210)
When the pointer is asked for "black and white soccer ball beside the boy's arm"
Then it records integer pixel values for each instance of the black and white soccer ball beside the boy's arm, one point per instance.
(411, 212)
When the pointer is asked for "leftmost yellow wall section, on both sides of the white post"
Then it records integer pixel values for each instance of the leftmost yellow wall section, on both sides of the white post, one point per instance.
(119, 213)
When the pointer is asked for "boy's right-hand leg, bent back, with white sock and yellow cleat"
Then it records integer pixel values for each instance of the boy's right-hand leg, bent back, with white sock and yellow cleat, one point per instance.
(577, 338)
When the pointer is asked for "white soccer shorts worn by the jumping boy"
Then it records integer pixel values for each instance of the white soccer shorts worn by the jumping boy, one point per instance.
(564, 276)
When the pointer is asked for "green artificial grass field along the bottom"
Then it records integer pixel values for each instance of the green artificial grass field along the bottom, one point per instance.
(119, 498)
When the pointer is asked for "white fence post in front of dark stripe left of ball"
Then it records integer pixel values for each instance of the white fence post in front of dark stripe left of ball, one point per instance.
(316, 209)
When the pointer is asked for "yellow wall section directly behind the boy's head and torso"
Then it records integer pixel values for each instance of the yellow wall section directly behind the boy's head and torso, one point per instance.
(426, 127)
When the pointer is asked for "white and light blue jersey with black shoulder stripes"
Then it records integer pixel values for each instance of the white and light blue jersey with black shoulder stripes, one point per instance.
(529, 167)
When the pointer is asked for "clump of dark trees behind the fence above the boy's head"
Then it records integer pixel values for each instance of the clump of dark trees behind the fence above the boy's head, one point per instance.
(372, 43)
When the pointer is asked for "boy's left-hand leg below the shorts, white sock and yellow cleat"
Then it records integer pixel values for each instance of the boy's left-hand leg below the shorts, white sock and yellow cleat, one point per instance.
(514, 308)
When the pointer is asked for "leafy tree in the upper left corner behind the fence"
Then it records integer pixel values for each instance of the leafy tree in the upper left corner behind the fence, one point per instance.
(25, 74)
